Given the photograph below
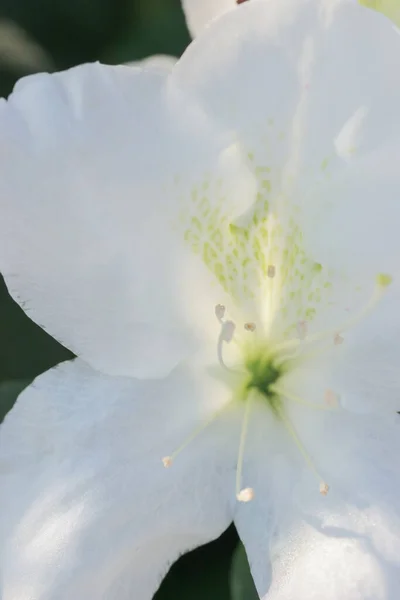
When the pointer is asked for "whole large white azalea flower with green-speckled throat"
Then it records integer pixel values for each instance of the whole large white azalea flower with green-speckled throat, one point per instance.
(219, 246)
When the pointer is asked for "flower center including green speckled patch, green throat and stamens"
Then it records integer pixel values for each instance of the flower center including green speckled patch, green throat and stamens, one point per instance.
(261, 265)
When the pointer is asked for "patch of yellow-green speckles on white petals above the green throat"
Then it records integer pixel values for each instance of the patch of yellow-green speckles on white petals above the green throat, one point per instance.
(239, 253)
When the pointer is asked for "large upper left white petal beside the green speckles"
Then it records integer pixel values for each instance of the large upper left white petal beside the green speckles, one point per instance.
(88, 235)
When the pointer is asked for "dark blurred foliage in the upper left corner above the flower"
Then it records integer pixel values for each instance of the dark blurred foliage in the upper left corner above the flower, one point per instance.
(46, 35)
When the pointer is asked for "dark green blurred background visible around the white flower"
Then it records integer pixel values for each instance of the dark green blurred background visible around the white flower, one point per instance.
(66, 33)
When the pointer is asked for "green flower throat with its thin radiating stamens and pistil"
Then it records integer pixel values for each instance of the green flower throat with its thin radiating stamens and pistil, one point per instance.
(263, 378)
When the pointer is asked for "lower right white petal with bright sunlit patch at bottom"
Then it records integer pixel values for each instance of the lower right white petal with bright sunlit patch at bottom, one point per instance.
(345, 546)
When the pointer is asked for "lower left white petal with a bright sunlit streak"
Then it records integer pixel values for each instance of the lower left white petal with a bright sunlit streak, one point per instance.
(88, 510)
